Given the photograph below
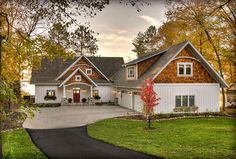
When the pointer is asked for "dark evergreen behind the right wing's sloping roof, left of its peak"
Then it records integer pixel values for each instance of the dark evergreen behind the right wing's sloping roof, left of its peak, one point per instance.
(145, 42)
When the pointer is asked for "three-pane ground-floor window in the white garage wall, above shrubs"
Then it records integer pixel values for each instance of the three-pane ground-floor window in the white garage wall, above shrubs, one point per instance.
(184, 100)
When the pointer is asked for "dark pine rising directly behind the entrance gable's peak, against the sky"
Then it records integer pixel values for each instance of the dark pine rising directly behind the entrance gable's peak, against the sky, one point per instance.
(83, 41)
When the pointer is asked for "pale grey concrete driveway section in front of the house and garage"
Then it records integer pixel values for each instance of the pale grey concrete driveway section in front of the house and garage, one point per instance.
(73, 116)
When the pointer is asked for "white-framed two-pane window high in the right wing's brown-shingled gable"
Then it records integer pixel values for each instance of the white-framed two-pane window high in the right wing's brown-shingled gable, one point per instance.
(185, 69)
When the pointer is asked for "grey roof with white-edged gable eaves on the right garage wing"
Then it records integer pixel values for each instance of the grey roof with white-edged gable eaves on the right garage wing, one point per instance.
(165, 58)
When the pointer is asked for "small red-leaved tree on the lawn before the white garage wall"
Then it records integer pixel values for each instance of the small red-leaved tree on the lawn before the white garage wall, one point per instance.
(149, 98)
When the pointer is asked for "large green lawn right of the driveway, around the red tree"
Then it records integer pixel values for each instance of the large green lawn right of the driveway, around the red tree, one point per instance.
(181, 138)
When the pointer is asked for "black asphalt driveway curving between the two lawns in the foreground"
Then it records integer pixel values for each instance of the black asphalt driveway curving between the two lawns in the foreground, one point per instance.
(74, 143)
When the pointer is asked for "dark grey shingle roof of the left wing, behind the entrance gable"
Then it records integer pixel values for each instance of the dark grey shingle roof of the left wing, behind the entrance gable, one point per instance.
(51, 69)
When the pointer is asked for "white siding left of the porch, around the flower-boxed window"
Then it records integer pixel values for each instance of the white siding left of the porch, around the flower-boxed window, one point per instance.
(41, 91)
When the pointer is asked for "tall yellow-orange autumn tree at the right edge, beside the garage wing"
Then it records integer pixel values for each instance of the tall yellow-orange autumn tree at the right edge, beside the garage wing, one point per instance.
(214, 27)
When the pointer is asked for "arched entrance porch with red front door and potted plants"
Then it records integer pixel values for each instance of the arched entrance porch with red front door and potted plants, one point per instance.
(76, 93)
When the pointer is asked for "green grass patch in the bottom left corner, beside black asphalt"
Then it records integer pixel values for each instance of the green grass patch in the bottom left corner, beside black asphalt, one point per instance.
(18, 145)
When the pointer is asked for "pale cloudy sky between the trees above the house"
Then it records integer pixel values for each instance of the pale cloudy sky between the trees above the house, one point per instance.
(118, 24)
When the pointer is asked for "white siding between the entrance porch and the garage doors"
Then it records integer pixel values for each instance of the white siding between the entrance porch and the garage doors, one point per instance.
(105, 92)
